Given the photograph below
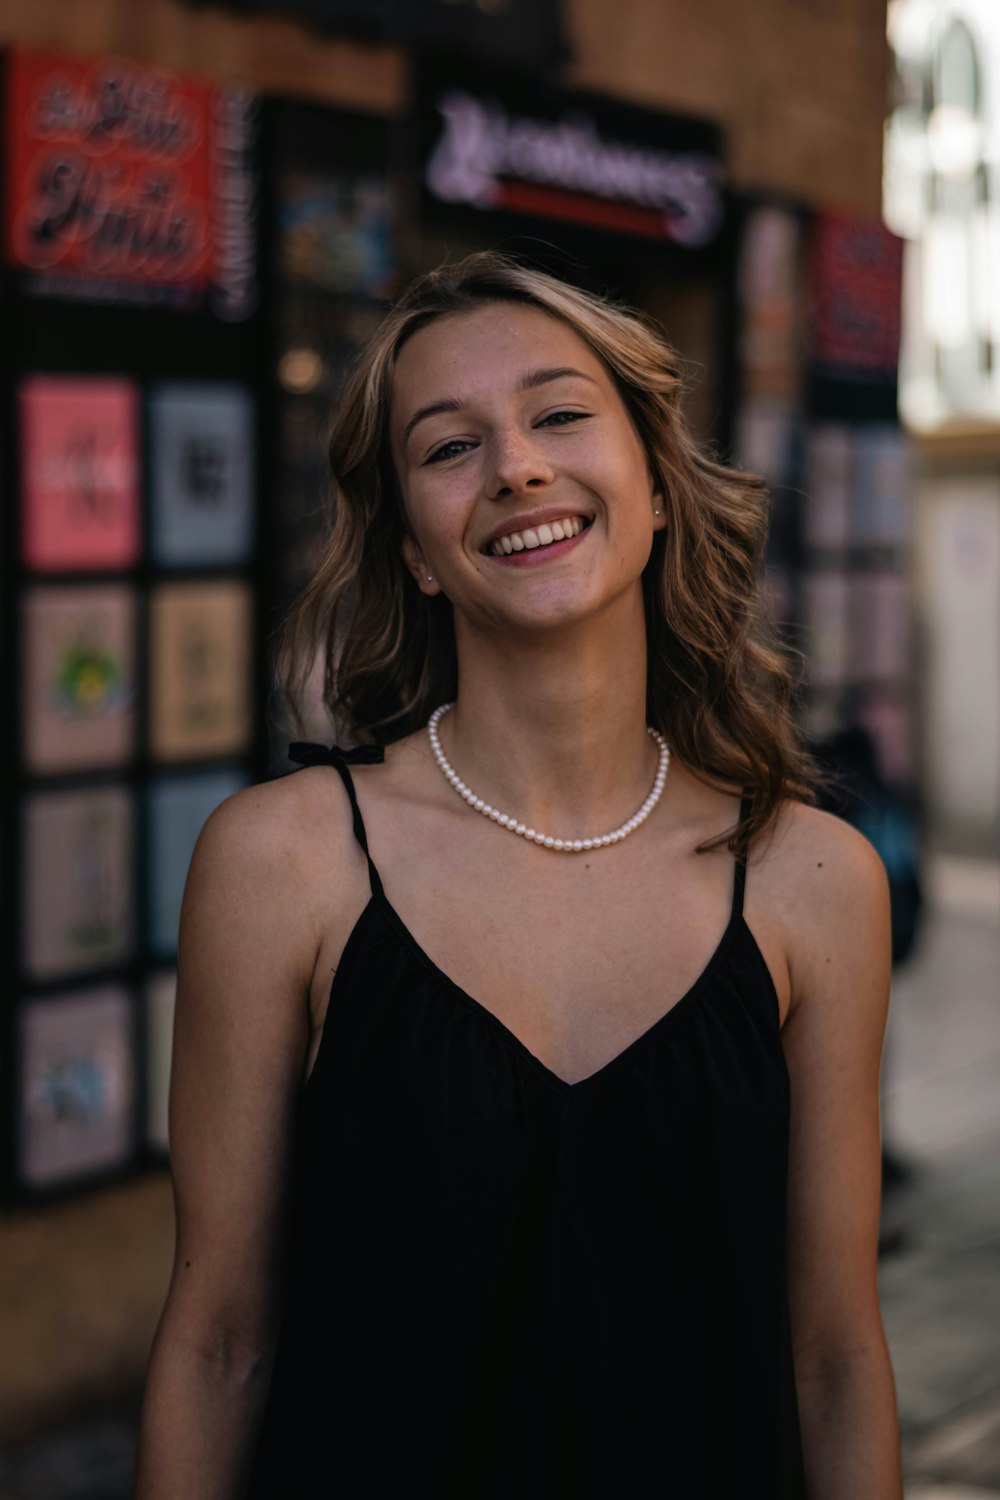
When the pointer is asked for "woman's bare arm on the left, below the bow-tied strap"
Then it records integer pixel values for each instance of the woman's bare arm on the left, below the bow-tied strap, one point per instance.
(248, 947)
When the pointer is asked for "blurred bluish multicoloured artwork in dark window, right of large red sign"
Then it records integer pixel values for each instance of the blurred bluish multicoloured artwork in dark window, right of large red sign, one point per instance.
(337, 233)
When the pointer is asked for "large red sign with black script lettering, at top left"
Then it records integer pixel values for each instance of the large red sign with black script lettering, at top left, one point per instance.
(109, 175)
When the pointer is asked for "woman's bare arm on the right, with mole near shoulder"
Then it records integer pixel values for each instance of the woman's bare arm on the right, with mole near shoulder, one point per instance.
(837, 914)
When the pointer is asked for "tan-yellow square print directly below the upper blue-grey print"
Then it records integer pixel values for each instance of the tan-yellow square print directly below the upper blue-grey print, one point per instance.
(200, 670)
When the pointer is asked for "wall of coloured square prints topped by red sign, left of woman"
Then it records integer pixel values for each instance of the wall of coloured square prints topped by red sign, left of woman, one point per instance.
(131, 583)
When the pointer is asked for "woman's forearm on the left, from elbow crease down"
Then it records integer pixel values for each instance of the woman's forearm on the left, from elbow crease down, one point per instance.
(200, 1420)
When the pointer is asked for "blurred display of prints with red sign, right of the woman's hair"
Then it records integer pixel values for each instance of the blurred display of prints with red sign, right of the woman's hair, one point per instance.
(818, 355)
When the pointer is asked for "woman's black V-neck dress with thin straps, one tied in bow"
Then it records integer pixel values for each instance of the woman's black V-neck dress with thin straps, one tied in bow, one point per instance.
(503, 1286)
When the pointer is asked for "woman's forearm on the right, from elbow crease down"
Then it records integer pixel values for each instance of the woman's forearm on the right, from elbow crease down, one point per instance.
(851, 1427)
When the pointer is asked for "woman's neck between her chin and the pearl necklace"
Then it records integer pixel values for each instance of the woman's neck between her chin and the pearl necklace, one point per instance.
(554, 730)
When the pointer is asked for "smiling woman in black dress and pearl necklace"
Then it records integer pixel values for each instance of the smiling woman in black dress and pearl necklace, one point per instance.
(534, 1153)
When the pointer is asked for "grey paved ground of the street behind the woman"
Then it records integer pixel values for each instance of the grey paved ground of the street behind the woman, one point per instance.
(941, 1273)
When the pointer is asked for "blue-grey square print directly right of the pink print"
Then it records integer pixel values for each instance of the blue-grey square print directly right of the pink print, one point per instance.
(202, 473)
